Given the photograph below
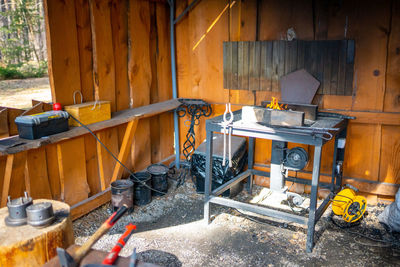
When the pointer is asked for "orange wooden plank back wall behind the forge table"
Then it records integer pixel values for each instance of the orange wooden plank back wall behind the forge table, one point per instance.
(373, 143)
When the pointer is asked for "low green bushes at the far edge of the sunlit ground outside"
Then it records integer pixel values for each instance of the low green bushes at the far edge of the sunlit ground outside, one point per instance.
(23, 71)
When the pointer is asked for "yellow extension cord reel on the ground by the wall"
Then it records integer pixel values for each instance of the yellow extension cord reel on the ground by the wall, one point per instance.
(349, 205)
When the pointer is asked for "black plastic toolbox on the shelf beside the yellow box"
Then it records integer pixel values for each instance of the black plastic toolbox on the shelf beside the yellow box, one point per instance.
(42, 124)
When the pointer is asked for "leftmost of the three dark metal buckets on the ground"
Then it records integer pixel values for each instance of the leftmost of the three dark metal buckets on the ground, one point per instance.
(122, 193)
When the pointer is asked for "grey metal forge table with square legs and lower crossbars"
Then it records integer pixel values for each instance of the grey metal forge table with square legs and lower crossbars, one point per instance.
(310, 136)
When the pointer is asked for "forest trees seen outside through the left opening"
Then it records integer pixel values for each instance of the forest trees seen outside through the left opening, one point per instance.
(22, 39)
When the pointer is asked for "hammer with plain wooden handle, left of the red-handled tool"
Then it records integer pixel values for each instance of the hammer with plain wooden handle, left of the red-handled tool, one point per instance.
(73, 259)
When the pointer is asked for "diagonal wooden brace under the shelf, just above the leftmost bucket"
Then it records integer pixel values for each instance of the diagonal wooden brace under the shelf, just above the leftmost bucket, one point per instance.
(125, 148)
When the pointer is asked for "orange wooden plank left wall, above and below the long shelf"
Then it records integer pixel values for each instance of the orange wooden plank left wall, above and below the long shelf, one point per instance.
(116, 50)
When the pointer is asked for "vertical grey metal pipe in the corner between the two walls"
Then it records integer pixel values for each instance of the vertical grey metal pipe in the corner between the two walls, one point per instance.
(173, 74)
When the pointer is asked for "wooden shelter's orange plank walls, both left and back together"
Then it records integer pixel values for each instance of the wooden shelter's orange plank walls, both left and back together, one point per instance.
(119, 50)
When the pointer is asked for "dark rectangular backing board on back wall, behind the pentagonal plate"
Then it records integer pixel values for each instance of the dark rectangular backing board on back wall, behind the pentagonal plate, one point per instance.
(260, 65)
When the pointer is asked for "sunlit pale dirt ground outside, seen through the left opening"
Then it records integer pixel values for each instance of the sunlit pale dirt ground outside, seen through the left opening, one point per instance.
(19, 93)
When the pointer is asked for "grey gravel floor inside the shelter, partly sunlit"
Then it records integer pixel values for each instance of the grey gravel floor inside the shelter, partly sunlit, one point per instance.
(171, 233)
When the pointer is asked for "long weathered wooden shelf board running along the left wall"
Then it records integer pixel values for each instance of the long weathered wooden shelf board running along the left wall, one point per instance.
(117, 118)
